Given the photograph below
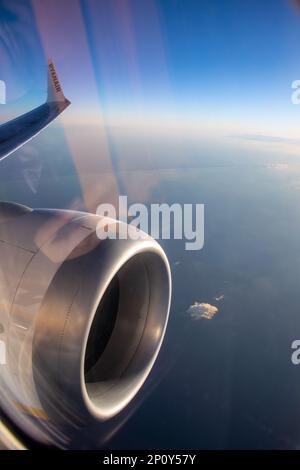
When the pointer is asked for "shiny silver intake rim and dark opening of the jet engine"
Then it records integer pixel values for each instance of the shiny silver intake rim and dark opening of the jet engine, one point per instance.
(111, 380)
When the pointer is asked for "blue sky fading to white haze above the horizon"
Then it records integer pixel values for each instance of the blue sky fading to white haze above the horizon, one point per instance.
(210, 61)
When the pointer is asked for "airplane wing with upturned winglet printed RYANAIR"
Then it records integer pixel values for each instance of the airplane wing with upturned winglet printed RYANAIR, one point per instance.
(15, 133)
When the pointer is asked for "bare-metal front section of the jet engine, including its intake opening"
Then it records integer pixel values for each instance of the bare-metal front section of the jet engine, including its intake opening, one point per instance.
(73, 382)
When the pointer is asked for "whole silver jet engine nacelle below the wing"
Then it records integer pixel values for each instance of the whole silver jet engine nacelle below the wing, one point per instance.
(81, 319)
